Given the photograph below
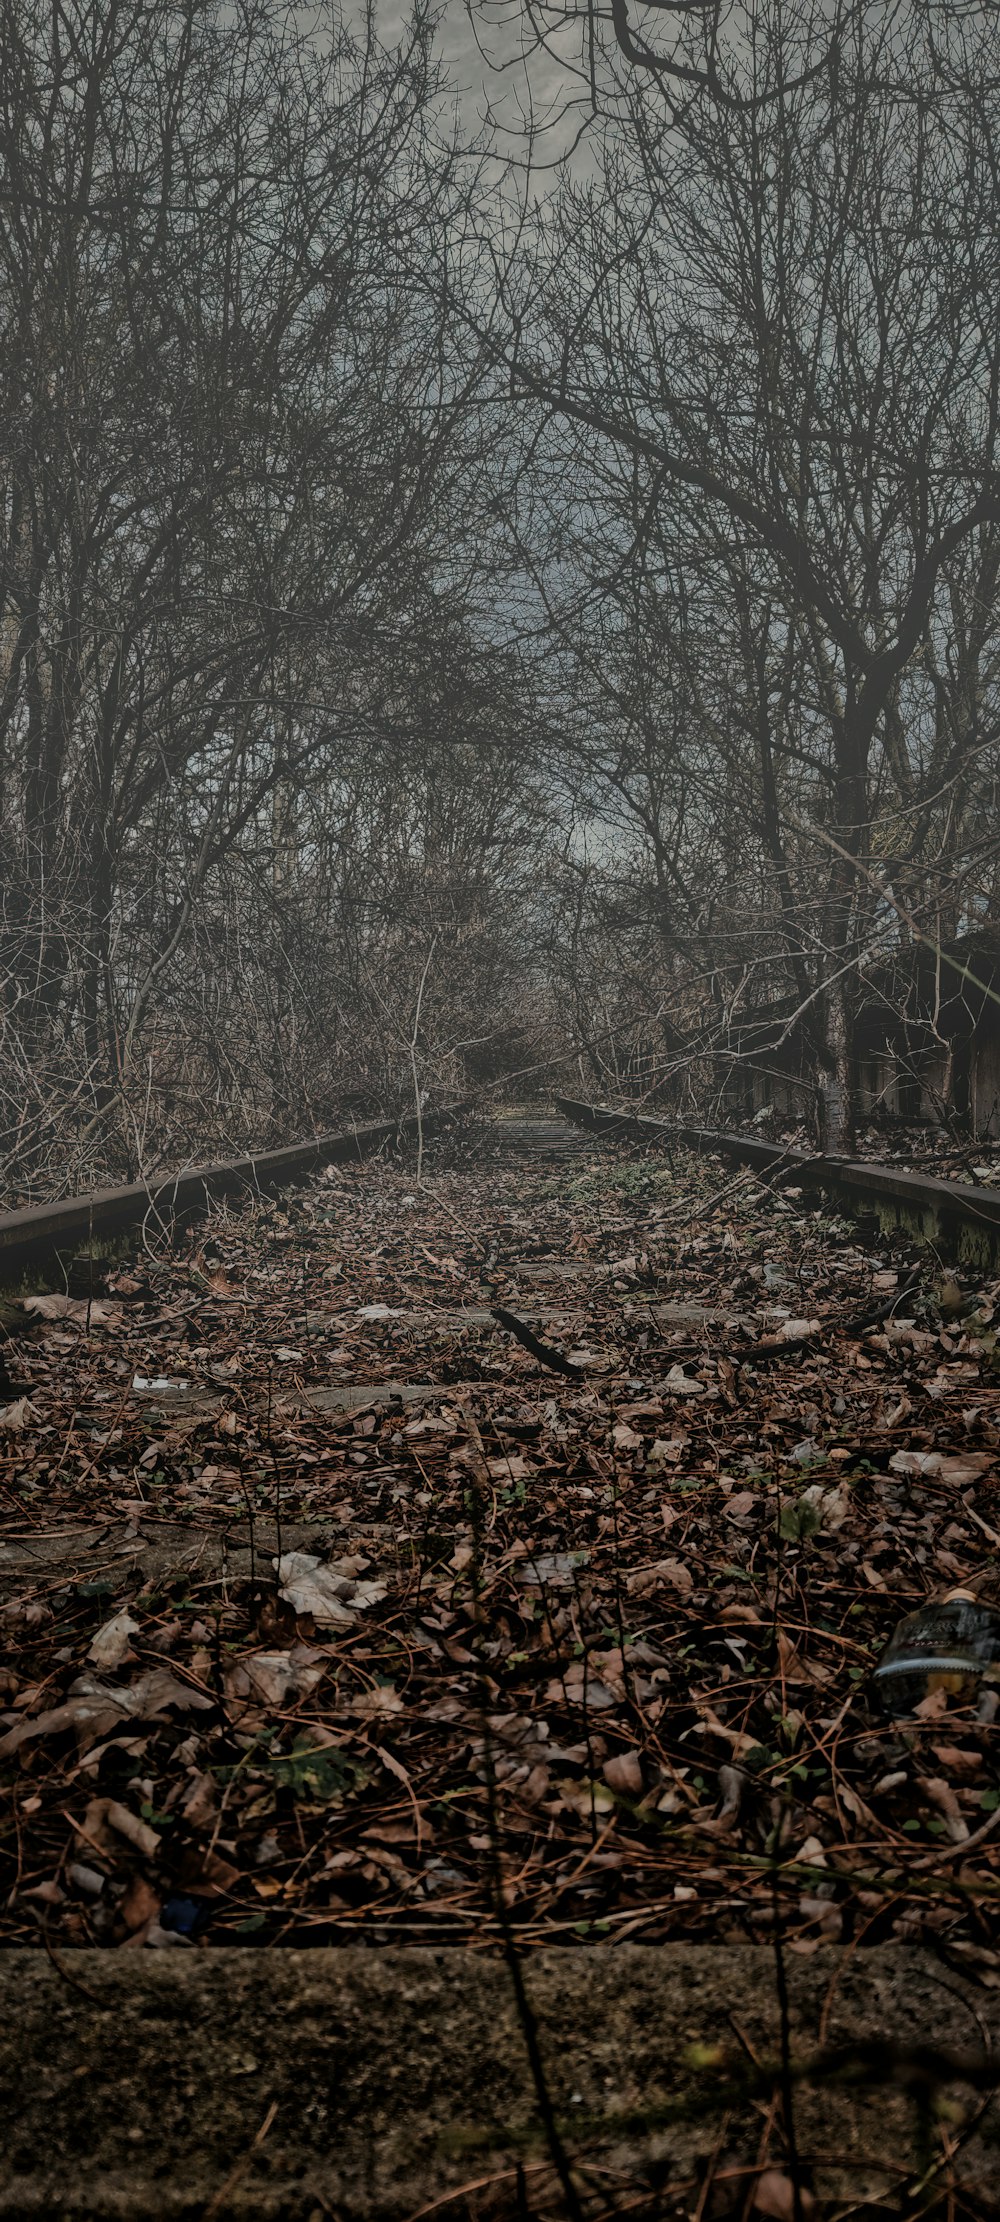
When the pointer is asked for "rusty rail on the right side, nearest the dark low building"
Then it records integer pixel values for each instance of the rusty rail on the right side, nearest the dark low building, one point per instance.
(954, 1217)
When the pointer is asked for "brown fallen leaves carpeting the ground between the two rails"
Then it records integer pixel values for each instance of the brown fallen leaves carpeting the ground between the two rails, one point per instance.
(634, 1612)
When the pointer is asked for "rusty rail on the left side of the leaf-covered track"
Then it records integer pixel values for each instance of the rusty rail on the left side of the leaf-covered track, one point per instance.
(43, 1234)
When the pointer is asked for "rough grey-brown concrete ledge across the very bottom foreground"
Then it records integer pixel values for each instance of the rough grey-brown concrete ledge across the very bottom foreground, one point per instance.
(370, 2083)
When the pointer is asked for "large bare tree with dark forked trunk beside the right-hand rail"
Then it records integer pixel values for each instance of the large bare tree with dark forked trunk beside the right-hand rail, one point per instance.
(777, 312)
